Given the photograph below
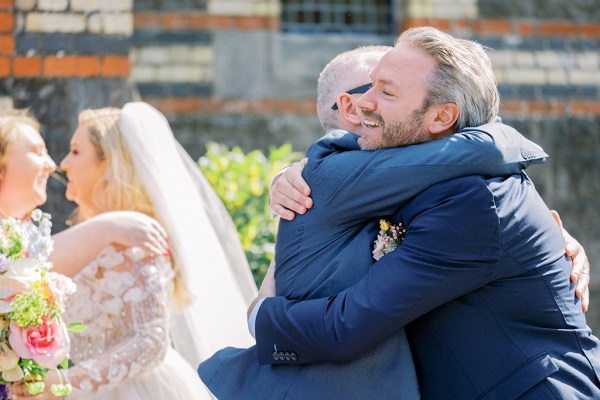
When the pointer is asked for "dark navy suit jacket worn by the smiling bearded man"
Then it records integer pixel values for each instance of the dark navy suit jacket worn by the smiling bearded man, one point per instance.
(481, 284)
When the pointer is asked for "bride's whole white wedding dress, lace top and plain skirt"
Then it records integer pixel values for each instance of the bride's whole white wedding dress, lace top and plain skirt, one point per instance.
(125, 352)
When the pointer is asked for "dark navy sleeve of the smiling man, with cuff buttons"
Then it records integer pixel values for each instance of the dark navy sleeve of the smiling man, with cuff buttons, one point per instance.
(451, 248)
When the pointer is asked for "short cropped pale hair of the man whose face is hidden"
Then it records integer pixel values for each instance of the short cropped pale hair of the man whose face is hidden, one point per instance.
(346, 71)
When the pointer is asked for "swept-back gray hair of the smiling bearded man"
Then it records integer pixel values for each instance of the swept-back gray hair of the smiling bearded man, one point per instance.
(464, 75)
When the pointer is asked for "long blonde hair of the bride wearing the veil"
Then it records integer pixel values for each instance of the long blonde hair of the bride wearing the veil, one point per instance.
(122, 188)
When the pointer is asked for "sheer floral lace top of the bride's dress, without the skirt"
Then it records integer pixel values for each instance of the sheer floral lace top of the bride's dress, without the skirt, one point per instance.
(122, 299)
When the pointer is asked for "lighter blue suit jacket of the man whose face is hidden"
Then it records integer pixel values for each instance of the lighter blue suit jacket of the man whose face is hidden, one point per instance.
(329, 249)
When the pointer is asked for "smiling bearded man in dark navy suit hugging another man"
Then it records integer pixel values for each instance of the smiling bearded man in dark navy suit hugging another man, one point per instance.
(480, 282)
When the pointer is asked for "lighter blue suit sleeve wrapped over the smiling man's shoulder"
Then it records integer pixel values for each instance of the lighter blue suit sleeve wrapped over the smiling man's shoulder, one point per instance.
(352, 186)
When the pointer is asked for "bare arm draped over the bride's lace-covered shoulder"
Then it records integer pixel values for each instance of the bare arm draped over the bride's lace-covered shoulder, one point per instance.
(75, 247)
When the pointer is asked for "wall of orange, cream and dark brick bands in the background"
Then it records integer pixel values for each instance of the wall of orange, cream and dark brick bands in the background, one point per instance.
(223, 71)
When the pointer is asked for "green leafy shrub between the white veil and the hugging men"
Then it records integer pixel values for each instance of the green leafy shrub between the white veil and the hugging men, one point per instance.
(242, 182)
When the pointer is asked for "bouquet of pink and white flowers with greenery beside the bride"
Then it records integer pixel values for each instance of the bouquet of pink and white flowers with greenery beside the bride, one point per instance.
(33, 336)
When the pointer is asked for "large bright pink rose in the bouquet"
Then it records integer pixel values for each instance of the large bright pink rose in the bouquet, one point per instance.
(47, 343)
